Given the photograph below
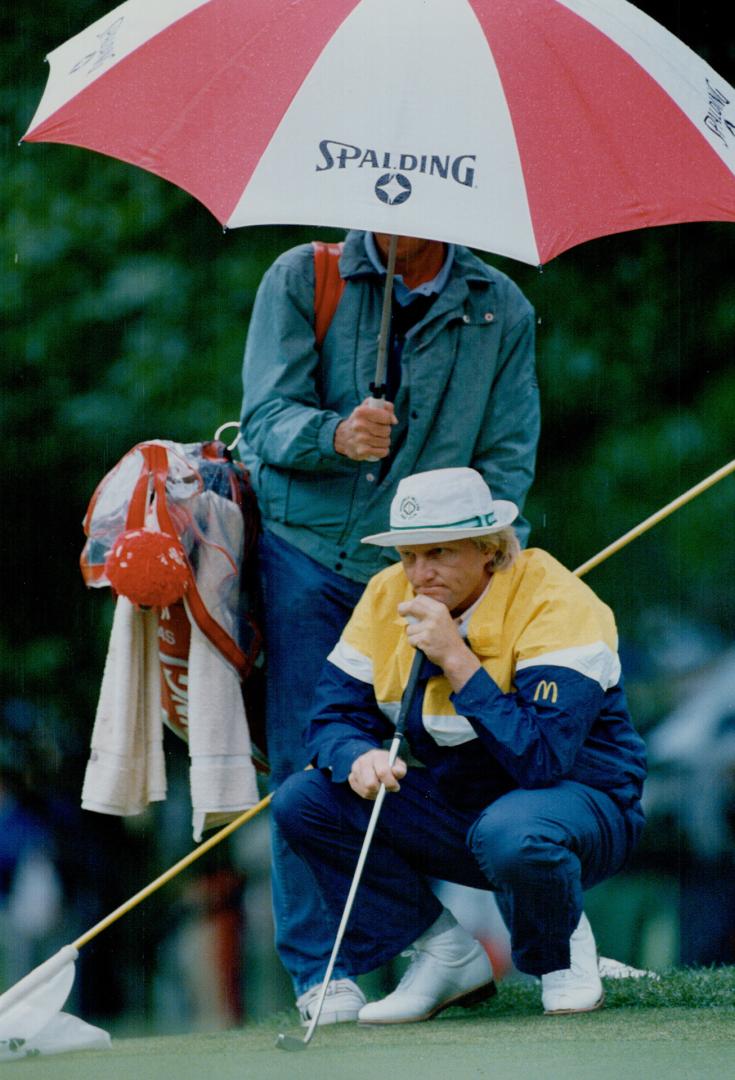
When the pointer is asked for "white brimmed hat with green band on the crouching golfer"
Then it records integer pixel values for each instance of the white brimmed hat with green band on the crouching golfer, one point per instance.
(444, 505)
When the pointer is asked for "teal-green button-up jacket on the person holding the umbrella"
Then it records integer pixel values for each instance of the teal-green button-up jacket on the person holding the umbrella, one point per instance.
(469, 397)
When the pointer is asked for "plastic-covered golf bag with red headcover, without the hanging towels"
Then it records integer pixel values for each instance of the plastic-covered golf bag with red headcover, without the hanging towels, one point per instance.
(189, 508)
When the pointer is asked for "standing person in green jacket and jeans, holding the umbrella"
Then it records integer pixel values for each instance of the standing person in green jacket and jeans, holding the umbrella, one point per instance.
(460, 389)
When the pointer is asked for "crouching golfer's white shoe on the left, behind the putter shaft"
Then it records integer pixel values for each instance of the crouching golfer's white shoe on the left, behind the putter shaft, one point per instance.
(448, 968)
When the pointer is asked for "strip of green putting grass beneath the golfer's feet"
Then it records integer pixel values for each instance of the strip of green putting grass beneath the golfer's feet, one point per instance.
(682, 1028)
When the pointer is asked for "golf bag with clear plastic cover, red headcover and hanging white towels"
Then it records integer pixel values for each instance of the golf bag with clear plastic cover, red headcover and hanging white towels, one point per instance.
(188, 661)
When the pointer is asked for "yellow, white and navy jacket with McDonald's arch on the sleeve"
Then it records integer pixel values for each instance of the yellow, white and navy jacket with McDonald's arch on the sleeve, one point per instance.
(547, 706)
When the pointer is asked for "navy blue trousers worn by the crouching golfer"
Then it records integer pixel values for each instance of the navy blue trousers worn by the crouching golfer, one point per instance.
(539, 850)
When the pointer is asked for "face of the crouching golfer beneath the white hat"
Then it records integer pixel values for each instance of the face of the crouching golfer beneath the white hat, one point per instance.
(455, 573)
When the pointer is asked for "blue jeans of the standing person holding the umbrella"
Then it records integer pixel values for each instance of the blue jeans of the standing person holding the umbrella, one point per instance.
(306, 609)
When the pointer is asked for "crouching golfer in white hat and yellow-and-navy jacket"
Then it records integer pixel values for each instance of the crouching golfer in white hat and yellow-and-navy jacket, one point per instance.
(529, 771)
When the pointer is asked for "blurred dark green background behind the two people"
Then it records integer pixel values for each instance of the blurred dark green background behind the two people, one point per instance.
(125, 315)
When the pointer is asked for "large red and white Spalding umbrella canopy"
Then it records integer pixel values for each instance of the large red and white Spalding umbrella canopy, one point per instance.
(519, 127)
